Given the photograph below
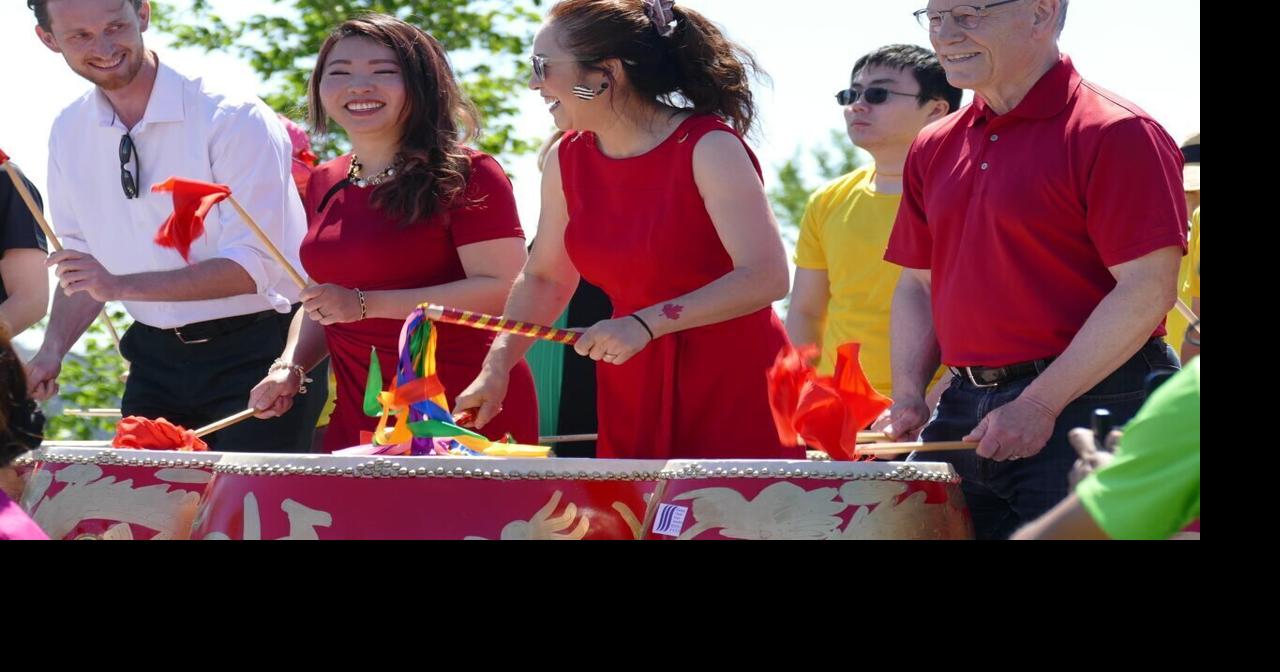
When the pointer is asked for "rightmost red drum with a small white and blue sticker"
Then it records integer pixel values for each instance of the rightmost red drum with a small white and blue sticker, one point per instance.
(806, 500)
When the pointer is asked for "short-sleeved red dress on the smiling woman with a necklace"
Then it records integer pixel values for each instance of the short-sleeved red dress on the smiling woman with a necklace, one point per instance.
(354, 245)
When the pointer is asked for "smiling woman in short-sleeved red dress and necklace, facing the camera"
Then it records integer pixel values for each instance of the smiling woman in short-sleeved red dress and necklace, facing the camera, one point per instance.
(412, 217)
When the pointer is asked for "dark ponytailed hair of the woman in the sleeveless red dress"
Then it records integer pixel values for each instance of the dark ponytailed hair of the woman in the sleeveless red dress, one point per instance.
(697, 63)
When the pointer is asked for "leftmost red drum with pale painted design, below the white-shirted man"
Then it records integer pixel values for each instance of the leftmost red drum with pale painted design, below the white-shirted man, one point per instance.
(104, 493)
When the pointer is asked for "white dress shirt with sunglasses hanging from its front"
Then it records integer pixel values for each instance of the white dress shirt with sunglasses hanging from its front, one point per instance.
(188, 132)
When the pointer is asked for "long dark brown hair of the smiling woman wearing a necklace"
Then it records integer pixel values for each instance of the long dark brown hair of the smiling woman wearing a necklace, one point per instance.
(438, 120)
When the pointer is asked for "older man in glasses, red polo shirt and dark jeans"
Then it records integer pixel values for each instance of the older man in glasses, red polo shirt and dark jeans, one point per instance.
(1041, 231)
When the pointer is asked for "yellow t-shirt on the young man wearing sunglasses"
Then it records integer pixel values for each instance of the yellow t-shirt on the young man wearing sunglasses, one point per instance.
(844, 232)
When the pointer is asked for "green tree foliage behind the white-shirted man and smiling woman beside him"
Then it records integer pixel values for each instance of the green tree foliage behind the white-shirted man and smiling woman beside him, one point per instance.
(491, 36)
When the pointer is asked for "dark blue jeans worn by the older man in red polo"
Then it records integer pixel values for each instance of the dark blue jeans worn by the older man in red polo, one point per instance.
(1005, 496)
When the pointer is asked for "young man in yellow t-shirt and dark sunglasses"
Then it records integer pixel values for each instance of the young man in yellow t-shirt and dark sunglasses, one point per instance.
(844, 289)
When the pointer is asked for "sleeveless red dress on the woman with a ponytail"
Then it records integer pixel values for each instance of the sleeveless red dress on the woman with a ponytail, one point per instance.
(638, 230)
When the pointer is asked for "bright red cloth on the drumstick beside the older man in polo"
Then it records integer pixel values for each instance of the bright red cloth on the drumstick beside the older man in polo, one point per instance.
(826, 412)
